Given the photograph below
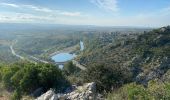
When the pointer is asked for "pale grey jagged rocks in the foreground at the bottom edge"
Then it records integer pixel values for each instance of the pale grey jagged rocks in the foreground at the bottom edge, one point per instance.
(85, 92)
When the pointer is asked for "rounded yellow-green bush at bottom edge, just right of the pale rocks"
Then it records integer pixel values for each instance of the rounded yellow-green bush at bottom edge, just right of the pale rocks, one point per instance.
(130, 92)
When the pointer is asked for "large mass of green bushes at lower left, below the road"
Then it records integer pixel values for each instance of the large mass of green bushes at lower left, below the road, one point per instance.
(26, 78)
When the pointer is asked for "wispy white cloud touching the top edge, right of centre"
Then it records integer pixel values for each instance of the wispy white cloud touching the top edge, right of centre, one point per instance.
(106, 4)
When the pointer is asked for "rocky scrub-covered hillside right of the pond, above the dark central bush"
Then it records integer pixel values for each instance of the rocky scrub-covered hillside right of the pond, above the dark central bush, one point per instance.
(145, 55)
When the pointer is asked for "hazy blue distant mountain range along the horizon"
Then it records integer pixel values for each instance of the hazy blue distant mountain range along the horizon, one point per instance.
(34, 26)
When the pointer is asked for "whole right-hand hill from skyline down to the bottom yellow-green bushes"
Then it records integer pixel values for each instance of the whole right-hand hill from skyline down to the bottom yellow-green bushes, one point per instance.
(141, 61)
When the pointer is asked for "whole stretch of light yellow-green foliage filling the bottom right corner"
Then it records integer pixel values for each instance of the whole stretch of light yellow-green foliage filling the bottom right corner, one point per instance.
(156, 90)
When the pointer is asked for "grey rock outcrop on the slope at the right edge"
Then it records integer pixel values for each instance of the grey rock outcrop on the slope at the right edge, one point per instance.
(157, 70)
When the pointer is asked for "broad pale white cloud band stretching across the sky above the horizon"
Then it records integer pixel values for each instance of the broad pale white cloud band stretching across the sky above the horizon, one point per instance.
(46, 15)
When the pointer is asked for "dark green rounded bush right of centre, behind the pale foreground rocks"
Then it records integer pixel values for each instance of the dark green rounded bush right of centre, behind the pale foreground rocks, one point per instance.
(106, 77)
